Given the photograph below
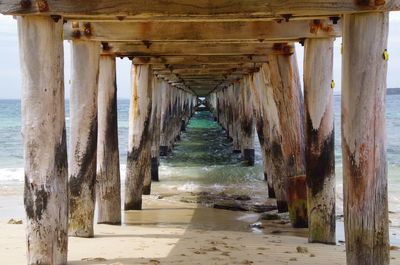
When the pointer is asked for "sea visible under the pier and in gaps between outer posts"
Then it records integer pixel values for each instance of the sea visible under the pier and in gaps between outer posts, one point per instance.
(201, 161)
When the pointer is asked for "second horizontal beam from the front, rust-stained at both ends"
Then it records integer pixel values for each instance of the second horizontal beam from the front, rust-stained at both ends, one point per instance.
(202, 31)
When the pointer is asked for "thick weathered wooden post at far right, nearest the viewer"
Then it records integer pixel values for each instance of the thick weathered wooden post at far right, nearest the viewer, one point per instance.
(364, 72)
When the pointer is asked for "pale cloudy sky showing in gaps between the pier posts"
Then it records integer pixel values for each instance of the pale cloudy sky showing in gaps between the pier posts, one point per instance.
(10, 79)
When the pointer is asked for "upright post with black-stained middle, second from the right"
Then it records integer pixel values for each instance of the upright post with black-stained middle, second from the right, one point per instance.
(320, 155)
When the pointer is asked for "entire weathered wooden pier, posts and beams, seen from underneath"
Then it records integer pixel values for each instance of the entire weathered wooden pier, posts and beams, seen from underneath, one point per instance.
(241, 59)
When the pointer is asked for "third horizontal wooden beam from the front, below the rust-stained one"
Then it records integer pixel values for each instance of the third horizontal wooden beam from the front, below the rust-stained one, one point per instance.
(147, 48)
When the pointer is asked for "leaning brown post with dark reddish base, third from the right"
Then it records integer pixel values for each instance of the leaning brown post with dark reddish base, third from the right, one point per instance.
(287, 143)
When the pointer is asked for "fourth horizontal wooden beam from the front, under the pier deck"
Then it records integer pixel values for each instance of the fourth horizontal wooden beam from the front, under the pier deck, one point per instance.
(201, 60)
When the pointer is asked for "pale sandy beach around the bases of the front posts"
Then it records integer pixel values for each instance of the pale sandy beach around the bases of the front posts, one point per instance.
(181, 233)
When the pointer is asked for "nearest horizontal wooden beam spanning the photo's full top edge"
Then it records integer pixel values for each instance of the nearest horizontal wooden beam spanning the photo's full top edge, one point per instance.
(188, 9)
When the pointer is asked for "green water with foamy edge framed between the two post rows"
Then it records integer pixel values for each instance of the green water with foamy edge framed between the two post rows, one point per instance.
(204, 161)
